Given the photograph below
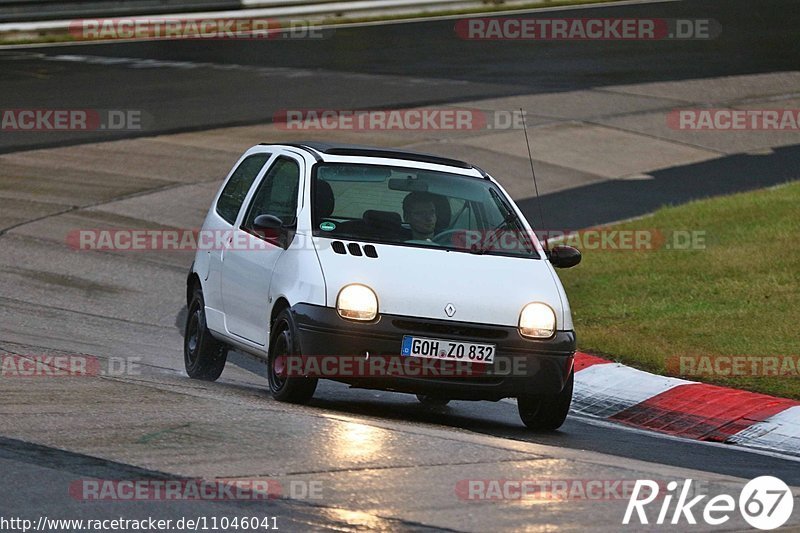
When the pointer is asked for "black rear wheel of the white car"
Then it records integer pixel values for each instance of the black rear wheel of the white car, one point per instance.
(203, 355)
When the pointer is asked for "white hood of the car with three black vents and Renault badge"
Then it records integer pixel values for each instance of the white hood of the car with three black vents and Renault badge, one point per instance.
(420, 282)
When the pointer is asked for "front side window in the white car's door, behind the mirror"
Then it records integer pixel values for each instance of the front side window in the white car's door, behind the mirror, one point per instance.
(277, 193)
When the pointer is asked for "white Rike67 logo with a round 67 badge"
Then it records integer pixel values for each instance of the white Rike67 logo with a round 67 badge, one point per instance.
(765, 503)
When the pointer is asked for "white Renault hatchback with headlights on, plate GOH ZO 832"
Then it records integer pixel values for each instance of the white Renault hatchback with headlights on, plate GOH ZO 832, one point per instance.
(384, 269)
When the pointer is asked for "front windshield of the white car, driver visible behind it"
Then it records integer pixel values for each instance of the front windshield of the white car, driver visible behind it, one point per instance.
(412, 207)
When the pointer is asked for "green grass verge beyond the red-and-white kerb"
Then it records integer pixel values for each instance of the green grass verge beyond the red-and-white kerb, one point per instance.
(738, 296)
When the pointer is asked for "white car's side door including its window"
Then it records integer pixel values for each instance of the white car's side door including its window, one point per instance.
(249, 260)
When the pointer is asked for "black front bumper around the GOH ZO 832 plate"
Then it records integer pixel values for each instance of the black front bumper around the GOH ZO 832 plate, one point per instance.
(521, 366)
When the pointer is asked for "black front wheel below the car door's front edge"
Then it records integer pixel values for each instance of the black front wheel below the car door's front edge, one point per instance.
(283, 344)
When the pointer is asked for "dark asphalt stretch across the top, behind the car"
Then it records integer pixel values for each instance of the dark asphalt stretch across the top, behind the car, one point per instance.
(232, 82)
